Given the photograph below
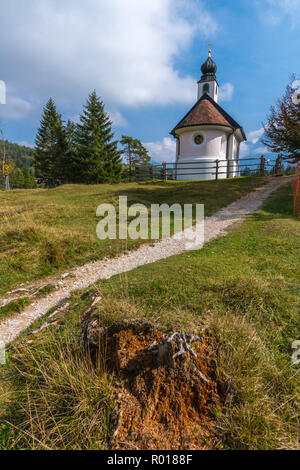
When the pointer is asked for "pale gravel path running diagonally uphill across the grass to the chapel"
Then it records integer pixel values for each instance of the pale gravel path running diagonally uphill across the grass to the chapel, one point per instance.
(82, 277)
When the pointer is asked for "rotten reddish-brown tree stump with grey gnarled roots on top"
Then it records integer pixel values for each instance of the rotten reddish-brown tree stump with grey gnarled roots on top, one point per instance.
(164, 383)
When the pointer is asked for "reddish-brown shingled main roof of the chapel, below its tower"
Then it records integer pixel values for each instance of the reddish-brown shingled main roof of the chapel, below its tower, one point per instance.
(207, 112)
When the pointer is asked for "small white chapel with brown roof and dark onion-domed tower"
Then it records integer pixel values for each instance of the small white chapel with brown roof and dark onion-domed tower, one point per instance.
(207, 133)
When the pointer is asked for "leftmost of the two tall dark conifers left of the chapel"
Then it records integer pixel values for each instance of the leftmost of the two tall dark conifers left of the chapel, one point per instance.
(51, 145)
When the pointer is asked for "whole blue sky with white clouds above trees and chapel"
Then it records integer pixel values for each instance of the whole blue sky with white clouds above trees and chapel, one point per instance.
(144, 60)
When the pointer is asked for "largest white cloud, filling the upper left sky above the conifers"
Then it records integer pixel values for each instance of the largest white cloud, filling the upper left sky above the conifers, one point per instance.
(123, 49)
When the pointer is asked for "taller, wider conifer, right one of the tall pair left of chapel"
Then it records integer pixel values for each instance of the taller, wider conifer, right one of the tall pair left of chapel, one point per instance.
(97, 158)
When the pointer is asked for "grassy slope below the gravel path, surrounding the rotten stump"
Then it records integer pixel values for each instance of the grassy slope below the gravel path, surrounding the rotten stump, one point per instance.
(241, 292)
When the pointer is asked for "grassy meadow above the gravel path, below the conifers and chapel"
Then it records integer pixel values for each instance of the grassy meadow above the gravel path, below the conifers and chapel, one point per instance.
(43, 232)
